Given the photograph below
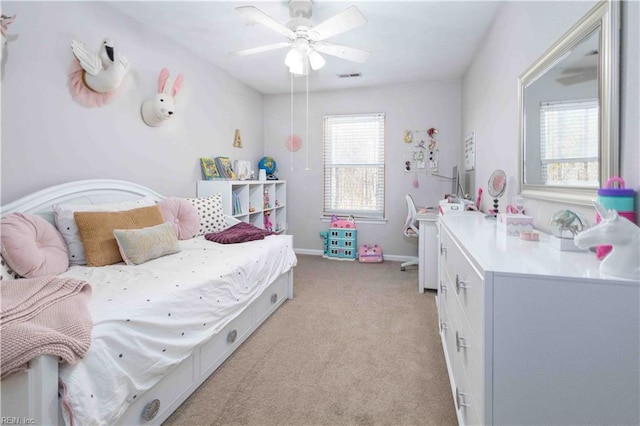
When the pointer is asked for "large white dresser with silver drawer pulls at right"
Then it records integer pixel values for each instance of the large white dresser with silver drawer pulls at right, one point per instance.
(533, 335)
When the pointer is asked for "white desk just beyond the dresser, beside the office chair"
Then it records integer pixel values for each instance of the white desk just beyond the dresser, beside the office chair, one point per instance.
(428, 251)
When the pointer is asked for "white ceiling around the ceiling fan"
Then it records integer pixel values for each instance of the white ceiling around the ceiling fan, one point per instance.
(410, 41)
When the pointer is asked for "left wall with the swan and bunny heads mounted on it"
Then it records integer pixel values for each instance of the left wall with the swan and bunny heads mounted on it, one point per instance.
(48, 138)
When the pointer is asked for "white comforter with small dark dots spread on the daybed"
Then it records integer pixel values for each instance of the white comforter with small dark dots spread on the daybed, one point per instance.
(148, 318)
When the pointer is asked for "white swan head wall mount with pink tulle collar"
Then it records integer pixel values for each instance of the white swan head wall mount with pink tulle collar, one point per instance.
(95, 76)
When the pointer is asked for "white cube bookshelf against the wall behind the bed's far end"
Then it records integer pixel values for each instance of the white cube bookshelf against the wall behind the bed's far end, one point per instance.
(250, 201)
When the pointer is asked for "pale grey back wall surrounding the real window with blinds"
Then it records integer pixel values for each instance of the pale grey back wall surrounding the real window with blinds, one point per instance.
(407, 107)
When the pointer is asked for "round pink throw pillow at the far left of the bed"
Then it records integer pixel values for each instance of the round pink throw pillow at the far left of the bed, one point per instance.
(32, 246)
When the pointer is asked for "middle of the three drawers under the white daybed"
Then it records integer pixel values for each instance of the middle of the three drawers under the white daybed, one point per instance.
(213, 353)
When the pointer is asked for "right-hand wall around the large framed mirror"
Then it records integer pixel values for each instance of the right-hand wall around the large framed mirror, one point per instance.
(520, 34)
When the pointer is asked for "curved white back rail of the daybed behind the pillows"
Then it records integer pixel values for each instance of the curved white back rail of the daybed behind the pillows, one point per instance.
(92, 191)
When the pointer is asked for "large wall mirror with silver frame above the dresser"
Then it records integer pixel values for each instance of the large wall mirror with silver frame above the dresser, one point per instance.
(569, 112)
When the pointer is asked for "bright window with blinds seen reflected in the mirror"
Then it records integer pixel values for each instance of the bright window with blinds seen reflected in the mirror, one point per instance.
(569, 145)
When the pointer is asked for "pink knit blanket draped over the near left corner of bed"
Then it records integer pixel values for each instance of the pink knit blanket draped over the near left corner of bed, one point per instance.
(43, 316)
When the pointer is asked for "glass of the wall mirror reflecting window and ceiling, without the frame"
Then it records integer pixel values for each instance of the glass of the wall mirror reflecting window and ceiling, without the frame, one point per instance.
(562, 120)
